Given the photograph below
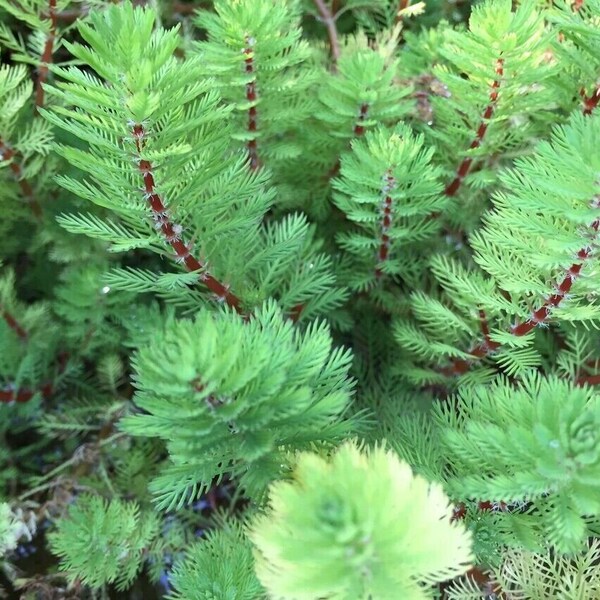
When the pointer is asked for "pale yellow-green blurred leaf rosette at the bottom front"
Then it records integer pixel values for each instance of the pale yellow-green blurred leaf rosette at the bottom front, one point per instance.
(391, 528)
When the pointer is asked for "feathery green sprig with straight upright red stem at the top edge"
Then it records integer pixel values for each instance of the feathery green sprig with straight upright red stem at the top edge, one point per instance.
(255, 53)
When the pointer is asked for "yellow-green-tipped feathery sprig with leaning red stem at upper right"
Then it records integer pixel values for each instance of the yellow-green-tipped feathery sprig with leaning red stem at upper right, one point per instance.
(496, 93)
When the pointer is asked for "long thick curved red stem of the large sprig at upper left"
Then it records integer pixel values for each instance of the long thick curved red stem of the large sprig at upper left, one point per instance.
(172, 231)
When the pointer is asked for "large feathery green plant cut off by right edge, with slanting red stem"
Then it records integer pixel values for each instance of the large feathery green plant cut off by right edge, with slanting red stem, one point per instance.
(535, 250)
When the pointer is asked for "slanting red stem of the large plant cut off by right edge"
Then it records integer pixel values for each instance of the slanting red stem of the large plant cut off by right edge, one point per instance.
(542, 314)
